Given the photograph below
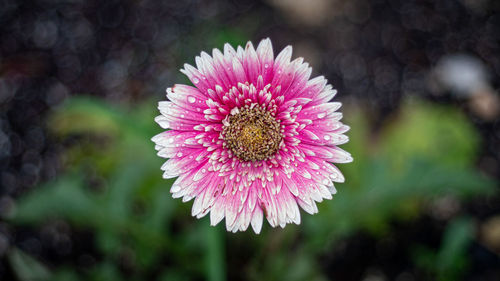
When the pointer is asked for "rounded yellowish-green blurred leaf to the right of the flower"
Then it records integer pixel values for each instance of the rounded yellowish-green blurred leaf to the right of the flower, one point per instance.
(441, 134)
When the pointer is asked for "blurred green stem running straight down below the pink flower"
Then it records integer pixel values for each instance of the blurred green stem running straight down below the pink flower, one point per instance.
(215, 257)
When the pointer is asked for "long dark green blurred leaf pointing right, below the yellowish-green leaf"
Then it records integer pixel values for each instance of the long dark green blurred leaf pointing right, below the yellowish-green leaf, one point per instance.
(384, 192)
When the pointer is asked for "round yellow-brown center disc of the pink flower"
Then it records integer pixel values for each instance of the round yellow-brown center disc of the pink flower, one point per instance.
(252, 133)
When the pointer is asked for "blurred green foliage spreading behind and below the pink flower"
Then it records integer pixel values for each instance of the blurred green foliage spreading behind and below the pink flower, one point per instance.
(113, 187)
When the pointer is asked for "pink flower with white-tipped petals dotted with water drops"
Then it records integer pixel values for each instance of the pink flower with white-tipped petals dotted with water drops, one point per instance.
(255, 137)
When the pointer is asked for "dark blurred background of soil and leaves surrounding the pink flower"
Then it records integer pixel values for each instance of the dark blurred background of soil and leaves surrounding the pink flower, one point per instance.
(81, 194)
